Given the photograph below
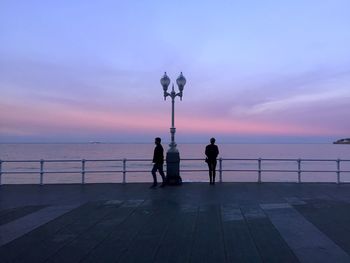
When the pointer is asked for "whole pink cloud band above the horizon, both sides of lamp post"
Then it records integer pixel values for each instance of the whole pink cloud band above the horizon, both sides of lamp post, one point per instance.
(36, 119)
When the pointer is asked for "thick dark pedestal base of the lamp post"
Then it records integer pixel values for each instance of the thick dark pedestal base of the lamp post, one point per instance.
(173, 167)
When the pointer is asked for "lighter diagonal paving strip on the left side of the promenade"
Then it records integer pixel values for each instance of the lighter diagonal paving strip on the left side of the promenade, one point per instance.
(27, 223)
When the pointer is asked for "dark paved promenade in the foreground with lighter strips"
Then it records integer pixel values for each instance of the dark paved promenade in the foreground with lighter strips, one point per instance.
(195, 222)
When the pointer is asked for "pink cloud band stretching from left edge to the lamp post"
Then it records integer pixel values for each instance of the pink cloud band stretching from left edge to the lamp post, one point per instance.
(35, 119)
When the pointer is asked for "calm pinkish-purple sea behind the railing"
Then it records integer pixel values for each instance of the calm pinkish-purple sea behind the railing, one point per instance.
(63, 162)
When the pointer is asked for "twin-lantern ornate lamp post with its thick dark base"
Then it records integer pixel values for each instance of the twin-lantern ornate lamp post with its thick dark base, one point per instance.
(173, 155)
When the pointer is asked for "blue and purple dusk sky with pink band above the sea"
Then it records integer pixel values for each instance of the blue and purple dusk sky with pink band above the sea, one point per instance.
(257, 71)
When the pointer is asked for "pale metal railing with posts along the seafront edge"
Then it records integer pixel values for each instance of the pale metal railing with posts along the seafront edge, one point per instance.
(123, 168)
